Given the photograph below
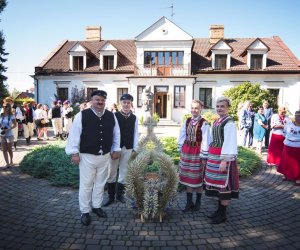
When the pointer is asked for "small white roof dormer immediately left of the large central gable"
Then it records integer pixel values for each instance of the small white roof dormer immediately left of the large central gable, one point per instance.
(108, 57)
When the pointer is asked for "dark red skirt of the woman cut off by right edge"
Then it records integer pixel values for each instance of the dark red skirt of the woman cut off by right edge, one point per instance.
(290, 163)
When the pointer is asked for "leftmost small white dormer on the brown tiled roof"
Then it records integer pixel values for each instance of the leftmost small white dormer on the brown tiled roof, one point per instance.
(77, 58)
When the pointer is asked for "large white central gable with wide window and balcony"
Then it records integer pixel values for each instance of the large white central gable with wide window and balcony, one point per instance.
(163, 49)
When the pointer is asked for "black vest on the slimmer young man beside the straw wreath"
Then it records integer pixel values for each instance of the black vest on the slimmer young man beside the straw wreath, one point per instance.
(127, 126)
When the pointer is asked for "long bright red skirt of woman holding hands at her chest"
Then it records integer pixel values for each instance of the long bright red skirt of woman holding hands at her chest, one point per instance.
(275, 149)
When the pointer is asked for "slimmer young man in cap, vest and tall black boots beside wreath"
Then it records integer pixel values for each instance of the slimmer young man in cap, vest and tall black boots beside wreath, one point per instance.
(128, 123)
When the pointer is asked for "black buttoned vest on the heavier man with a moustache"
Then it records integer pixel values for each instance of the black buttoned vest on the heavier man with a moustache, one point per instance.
(97, 133)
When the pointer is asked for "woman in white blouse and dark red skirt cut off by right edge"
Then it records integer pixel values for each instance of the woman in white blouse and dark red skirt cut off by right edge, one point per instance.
(290, 160)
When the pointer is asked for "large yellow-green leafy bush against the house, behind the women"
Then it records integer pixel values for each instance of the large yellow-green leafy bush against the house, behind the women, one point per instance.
(248, 91)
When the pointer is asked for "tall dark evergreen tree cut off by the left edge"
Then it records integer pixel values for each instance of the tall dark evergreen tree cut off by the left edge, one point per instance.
(3, 88)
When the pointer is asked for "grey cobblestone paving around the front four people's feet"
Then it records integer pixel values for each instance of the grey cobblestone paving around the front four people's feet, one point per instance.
(36, 215)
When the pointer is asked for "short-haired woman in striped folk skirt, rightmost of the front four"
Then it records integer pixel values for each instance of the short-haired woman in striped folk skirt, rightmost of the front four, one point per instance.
(221, 174)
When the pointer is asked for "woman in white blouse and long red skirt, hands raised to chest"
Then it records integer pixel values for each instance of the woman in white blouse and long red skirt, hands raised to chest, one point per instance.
(276, 143)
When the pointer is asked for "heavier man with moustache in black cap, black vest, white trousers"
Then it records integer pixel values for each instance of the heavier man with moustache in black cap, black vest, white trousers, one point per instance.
(94, 139)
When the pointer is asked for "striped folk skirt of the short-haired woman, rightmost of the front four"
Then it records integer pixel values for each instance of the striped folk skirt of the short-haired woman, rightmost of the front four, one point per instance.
(225, 184)
